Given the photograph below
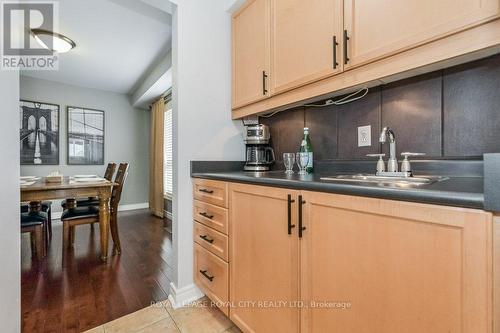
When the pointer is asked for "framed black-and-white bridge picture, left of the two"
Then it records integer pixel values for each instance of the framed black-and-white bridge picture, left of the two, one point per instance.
(39, 133)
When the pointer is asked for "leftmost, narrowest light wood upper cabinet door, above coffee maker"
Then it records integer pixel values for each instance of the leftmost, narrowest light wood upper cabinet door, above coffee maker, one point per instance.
(251, 29)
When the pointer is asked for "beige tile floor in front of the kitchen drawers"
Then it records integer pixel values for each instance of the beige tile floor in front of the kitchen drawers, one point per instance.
(199, 317)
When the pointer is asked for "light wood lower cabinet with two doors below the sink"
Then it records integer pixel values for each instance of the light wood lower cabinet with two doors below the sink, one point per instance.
(358, 264)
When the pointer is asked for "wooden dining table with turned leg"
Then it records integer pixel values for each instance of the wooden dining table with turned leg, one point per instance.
(40, 190)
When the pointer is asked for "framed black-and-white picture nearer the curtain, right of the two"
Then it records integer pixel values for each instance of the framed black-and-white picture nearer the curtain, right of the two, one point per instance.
(85, 136)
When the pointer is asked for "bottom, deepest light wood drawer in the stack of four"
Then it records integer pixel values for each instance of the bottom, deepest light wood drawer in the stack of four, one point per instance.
(211, 275)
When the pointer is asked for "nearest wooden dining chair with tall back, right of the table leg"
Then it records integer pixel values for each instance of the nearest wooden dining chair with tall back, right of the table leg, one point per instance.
(73, 217)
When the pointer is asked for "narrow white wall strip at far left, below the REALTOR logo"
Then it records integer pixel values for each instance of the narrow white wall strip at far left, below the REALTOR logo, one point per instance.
(10, 305)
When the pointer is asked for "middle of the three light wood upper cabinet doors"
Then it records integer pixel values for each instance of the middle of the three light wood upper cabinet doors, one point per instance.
(306, 41)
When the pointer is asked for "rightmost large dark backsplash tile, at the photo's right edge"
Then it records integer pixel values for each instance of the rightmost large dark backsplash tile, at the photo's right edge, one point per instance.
(471, 101)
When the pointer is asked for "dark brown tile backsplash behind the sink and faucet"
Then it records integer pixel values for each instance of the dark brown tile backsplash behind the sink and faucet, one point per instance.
(452, 113)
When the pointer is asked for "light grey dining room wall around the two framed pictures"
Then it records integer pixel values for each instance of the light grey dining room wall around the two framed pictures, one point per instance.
(126, 133)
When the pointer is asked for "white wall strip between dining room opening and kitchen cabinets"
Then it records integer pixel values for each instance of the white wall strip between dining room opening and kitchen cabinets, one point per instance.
(203, 129)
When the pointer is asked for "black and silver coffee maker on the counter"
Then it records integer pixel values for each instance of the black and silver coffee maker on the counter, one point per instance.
(259, 154)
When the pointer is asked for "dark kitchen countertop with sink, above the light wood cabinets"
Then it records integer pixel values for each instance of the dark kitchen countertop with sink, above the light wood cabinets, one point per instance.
(462, 191)
